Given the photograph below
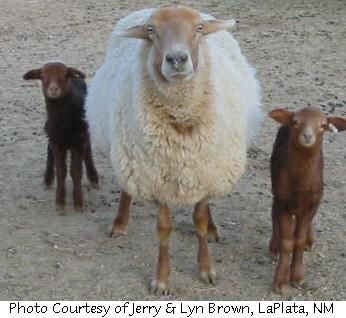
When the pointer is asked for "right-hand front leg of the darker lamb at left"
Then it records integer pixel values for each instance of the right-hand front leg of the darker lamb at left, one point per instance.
(76, 172)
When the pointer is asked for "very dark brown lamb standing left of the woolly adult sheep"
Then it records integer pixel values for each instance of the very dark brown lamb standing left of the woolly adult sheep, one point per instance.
(64, 91)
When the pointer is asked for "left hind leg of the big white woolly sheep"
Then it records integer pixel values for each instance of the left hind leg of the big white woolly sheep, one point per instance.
(121, 221)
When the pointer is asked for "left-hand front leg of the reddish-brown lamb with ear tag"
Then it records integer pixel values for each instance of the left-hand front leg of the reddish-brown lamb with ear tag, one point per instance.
(282, 274)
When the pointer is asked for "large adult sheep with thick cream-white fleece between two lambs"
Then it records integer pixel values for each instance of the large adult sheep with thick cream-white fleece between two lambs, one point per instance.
(174, 106)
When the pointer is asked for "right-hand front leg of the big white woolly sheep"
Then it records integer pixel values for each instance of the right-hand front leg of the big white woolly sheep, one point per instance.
(201, 219)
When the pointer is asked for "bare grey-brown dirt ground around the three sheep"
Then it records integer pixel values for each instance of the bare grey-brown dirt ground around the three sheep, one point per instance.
(298, 49)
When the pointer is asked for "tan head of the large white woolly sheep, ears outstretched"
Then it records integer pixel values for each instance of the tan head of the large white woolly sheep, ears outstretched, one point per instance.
(175, 33)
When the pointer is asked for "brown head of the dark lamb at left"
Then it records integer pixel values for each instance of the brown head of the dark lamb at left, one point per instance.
(56, 78)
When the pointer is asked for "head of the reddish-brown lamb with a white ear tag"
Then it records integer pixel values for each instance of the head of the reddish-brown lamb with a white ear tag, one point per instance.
(308, 125)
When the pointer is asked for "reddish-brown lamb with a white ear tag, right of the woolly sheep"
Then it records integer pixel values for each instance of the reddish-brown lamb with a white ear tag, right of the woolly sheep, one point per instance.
(297, 187)
